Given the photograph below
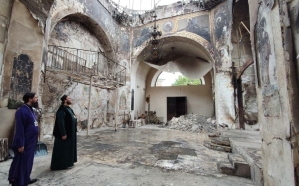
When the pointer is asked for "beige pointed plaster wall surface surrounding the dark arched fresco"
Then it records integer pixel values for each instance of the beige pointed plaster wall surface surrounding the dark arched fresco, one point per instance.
(22, 23)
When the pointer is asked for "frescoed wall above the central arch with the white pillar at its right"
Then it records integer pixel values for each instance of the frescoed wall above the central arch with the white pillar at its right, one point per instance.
(215, 36)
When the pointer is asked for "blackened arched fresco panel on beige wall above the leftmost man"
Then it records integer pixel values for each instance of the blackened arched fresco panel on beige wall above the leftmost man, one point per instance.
(21, 80)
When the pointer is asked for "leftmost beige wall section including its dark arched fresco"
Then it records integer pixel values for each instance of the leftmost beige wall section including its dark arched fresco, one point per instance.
(23, 47)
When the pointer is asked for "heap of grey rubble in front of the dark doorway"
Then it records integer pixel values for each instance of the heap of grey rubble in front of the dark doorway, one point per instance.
(193, 123)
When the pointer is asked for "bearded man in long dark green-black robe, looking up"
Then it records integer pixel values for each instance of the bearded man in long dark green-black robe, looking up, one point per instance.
(65, 131)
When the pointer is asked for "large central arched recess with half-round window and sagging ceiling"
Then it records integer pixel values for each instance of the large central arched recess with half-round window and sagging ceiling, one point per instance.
(182, 57)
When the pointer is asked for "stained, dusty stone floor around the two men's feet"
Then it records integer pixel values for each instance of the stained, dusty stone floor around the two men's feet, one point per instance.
(146, 155)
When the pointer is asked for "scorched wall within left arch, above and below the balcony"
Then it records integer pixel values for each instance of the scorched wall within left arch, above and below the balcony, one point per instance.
(72, 34)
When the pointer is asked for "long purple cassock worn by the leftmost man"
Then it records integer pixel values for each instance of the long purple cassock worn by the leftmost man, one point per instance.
(26, 132)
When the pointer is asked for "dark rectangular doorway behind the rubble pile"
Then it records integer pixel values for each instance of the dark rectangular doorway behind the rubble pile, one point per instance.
(176, 106)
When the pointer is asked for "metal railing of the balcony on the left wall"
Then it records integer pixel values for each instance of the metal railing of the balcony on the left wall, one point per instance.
(86, 63)
